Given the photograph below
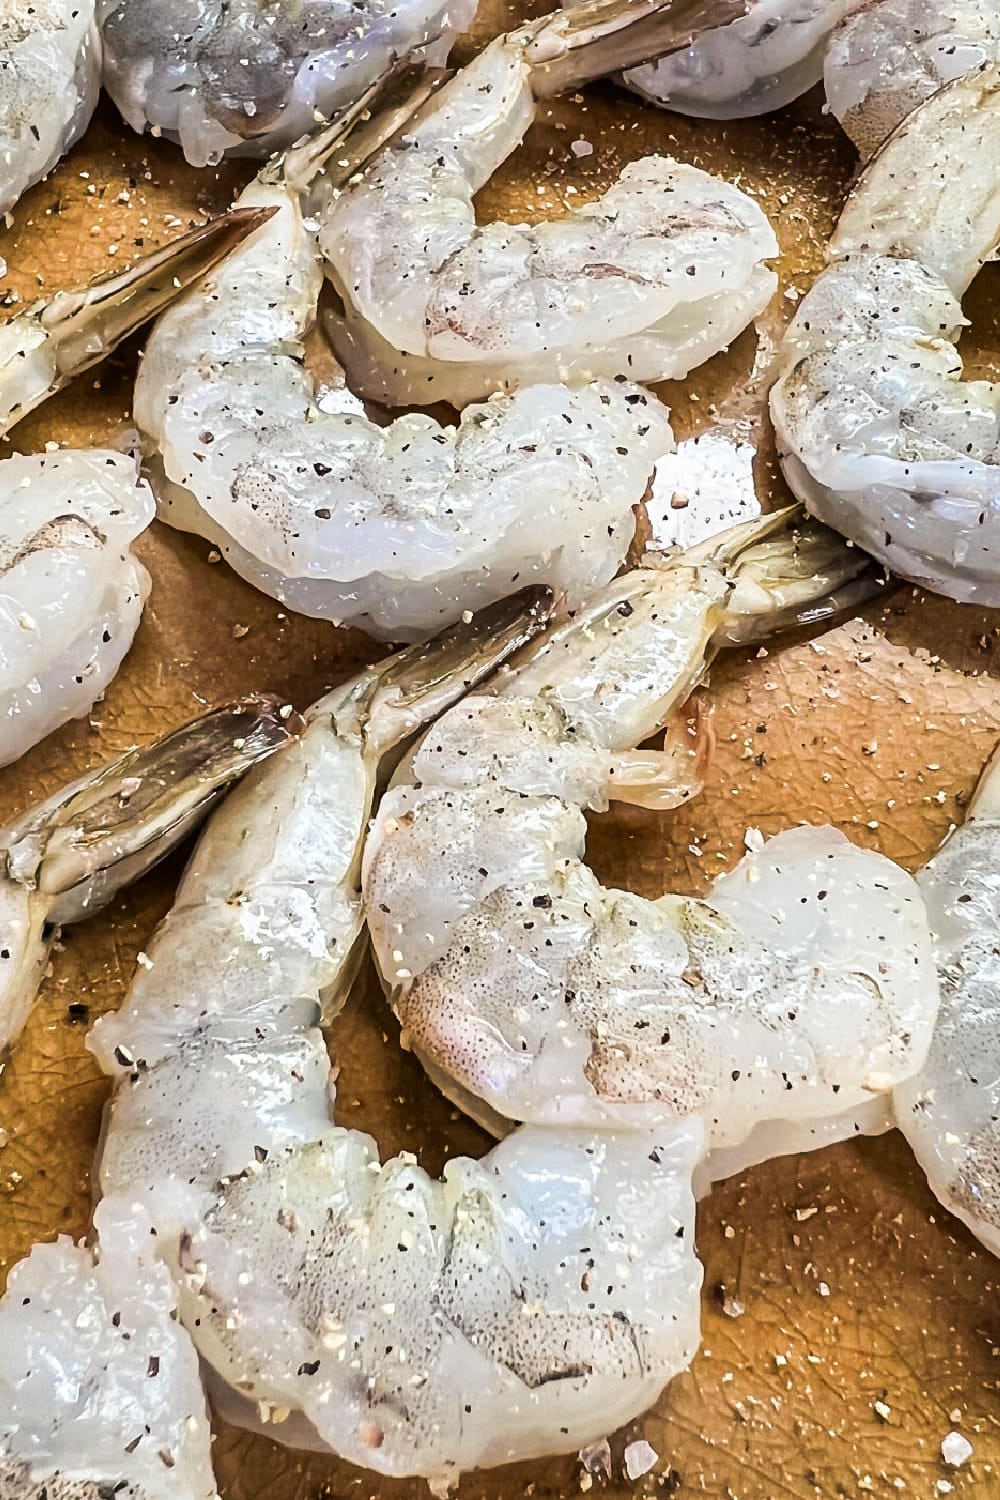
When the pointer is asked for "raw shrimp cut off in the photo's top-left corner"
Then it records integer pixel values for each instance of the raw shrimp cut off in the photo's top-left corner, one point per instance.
(50, 77)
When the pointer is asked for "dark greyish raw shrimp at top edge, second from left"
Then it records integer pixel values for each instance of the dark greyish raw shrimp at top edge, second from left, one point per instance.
(248, 77)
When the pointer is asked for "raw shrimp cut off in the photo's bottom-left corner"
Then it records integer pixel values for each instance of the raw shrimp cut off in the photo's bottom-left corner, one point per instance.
(100, 1385)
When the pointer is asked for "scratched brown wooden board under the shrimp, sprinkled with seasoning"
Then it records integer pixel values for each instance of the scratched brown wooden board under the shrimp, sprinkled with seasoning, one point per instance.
(849, 1322)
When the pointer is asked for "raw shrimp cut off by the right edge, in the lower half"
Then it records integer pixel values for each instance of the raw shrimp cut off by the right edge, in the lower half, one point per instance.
(951, 1111)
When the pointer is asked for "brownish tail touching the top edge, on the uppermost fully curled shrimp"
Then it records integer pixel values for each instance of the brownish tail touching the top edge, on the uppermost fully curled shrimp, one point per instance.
(605, 37)
